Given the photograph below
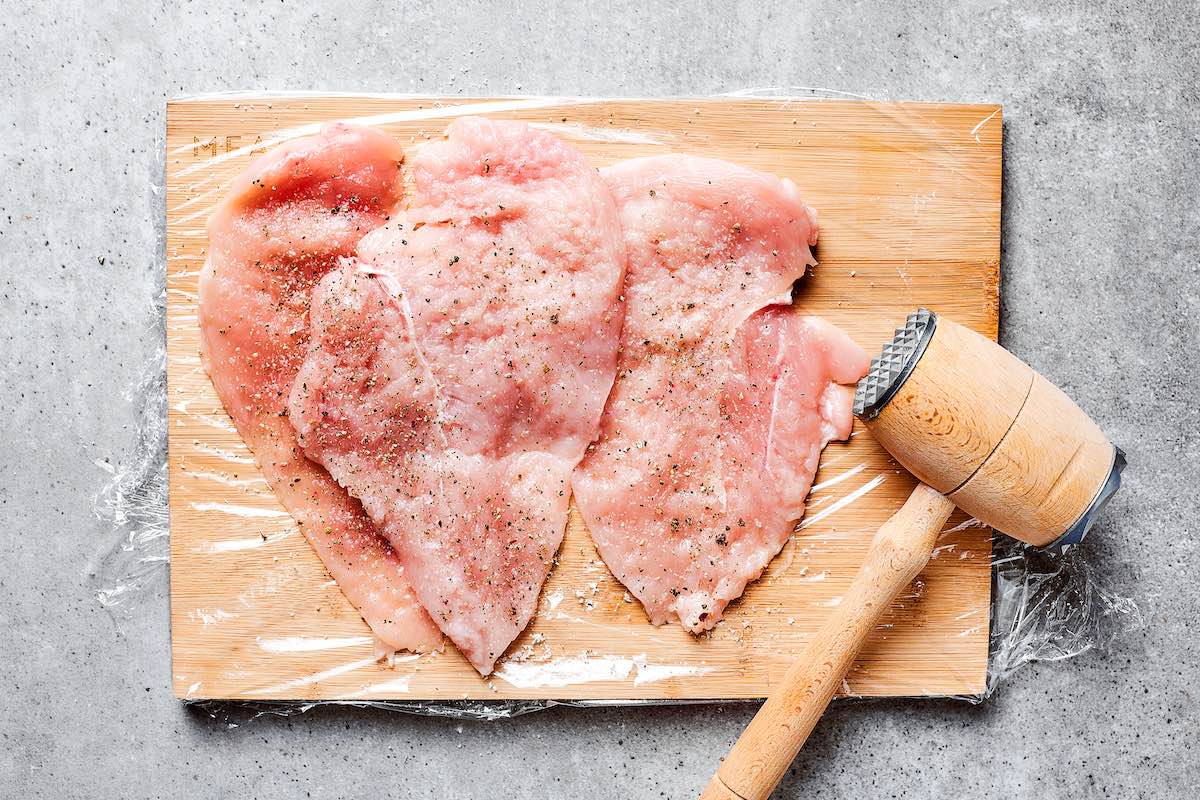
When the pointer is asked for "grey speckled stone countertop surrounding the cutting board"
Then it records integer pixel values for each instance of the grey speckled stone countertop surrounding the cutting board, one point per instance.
(1102, 294)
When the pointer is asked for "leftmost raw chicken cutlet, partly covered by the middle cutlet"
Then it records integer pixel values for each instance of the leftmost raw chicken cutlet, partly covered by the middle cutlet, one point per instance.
(284, 226)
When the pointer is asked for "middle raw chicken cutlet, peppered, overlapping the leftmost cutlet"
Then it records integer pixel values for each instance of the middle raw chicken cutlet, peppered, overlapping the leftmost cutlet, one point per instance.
(460, 370)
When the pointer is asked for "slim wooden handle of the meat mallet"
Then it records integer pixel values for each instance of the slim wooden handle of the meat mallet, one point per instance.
(898, 554)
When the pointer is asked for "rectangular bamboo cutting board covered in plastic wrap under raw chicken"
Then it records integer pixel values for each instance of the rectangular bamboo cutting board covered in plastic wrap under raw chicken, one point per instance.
(909, 199)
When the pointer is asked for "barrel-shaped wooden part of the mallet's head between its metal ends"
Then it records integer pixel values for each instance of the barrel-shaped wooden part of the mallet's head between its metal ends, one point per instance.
(980, 425)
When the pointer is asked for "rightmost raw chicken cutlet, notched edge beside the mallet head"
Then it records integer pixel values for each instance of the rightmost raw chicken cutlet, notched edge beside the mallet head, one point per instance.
(723, 401)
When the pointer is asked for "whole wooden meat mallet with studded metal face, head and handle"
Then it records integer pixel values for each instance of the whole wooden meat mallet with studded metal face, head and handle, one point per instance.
(981, 431)
